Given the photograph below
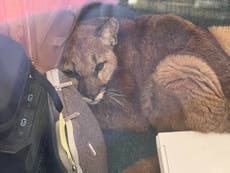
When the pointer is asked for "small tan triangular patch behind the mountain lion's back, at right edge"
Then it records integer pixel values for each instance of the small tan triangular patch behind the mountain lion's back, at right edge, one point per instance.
(222, 34)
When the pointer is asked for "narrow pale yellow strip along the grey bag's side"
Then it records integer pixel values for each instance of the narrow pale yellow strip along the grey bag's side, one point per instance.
(63, 138)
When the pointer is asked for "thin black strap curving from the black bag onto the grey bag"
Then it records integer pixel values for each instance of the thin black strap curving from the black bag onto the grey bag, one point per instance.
(48, 86)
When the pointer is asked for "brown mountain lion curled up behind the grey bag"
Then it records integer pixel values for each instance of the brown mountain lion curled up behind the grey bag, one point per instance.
(154, 70)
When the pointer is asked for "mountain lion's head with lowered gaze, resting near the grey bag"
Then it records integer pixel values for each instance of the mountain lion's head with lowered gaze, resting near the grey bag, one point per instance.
(89, 57)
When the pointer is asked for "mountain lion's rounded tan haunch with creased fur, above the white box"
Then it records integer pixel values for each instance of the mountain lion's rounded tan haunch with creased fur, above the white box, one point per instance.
(196, 87)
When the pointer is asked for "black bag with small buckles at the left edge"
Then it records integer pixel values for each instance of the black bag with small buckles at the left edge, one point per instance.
(23, 109)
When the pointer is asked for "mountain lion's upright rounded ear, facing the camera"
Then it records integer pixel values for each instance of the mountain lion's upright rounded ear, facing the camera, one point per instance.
(108, 32)
